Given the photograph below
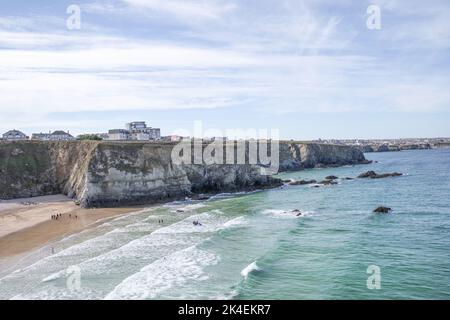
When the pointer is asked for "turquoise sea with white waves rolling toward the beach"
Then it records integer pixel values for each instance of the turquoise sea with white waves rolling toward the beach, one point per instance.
(249, 248)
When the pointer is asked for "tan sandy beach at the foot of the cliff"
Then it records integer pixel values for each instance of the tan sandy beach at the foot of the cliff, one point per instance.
(26, 224)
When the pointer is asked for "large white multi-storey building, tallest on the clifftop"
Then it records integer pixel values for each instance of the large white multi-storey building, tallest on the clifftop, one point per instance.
(137, 130)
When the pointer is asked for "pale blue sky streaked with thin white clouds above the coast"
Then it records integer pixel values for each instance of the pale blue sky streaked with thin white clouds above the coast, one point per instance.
(309, 69)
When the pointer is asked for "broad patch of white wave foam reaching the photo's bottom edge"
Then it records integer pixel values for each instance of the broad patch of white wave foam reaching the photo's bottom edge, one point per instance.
(166, 273)
